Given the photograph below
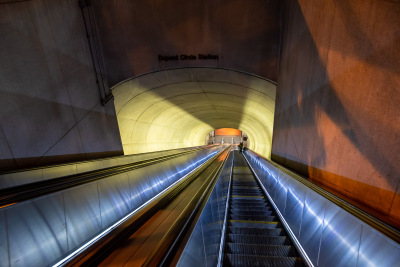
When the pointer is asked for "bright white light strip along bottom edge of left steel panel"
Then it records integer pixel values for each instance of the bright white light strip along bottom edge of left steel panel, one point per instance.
(115, 225)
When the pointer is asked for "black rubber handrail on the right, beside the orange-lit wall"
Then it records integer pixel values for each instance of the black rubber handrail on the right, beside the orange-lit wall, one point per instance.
(372, 221)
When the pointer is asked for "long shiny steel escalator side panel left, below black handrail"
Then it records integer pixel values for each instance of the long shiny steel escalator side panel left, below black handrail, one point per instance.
(77, 214)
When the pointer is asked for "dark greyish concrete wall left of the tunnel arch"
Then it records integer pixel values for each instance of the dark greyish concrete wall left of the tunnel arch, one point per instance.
(50, 105)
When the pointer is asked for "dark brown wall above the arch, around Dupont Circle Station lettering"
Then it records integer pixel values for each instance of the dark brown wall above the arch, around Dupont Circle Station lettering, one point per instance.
(133, 33)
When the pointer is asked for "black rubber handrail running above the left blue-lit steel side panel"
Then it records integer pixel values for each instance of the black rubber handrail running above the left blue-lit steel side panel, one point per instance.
(17, 194)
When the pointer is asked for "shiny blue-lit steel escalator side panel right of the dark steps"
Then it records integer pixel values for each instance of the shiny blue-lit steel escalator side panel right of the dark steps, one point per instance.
(328, 234)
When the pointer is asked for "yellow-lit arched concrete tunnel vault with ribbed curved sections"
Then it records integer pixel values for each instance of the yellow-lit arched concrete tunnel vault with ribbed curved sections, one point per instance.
(178, 108)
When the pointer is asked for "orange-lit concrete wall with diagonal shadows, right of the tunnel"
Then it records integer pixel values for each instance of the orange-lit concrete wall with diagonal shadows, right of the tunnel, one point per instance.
(337, 118)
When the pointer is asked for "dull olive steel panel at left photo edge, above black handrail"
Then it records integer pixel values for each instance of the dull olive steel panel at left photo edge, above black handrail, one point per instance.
(18, 178)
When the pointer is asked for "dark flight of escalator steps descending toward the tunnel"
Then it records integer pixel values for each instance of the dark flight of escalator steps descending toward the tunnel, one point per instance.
(254, 237)
